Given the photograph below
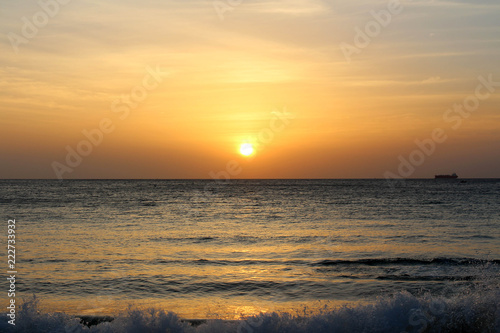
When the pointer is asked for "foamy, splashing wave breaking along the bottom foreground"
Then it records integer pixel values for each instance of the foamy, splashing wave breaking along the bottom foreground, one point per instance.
(477, 311)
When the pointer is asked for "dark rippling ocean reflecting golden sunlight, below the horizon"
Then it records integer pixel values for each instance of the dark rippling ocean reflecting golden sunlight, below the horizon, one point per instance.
(255, 255)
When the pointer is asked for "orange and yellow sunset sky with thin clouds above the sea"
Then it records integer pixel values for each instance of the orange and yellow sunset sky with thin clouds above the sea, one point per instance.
(319, 89)
